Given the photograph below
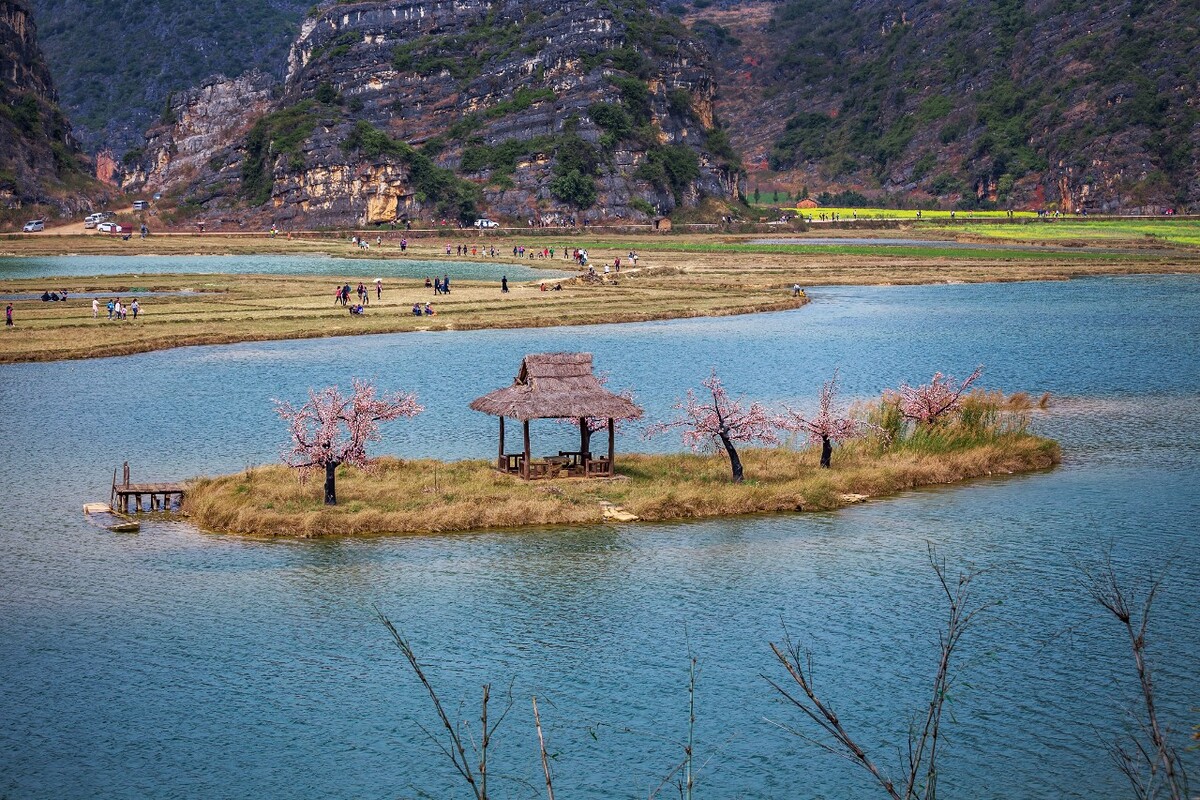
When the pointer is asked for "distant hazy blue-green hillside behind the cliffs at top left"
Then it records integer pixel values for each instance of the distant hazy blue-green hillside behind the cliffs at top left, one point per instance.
(118, 62)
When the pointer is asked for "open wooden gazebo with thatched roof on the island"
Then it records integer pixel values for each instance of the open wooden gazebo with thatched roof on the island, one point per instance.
(557, 387)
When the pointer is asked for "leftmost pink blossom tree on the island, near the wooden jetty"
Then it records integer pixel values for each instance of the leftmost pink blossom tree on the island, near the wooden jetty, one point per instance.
(333, 429)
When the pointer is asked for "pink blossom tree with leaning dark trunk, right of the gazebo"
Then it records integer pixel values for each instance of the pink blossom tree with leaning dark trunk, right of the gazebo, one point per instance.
(721, 423)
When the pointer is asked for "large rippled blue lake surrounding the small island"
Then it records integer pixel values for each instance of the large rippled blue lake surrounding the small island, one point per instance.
(179, 664)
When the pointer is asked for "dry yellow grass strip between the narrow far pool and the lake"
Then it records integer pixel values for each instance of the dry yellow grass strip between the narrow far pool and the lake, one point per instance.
(230, 309)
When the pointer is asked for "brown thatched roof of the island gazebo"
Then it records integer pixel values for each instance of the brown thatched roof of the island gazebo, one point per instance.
(554, 386)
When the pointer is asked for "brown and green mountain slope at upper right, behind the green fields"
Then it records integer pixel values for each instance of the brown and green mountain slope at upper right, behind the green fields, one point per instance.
(999, 103)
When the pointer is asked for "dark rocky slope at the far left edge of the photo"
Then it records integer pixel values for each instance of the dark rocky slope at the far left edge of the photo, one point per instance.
(40, 164)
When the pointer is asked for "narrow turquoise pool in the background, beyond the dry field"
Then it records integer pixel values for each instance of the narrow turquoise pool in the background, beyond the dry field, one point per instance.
(88, 266)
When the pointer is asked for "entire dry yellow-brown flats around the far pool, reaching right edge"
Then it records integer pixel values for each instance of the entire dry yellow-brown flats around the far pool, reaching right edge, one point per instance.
(679, 278)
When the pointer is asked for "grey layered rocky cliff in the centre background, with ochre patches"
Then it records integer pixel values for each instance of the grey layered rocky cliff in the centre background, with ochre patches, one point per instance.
(392, 110)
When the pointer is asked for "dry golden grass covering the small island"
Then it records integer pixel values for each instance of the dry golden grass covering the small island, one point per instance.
(425, 496)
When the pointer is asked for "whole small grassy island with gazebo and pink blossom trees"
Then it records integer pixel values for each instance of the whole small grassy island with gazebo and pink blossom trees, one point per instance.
(928, 436)
